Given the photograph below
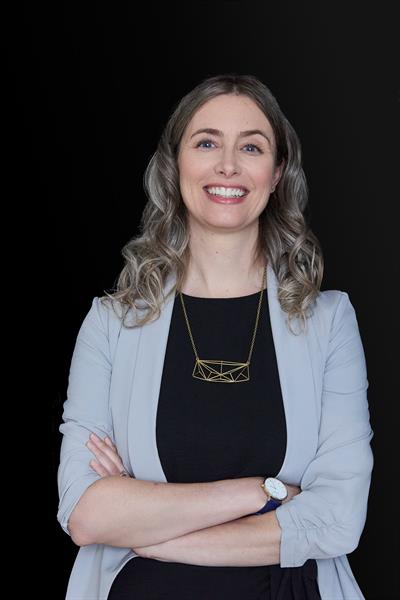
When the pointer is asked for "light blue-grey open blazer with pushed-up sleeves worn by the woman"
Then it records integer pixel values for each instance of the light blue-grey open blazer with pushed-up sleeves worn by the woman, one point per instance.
(113, 390)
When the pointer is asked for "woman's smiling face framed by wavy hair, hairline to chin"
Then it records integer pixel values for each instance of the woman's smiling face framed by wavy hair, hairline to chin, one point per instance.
(235, 156)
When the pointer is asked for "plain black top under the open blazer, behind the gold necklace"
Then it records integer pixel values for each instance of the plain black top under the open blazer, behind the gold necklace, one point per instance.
(208, 431)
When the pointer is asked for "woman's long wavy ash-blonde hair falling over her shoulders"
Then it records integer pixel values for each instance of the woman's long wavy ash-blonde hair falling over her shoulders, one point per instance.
(162, 245)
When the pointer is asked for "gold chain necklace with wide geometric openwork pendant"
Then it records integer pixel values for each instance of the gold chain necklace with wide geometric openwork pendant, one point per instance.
(223, 371)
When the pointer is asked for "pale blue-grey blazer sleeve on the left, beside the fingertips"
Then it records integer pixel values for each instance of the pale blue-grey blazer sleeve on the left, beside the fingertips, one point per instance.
(85, 410)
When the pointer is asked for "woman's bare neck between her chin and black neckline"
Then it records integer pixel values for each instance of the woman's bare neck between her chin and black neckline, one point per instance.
(223, 265)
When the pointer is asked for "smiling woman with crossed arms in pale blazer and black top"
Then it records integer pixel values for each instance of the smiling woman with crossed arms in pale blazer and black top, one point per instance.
(256, 489)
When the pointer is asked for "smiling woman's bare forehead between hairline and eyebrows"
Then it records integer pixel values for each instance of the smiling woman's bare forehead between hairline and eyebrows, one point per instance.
(229, 113)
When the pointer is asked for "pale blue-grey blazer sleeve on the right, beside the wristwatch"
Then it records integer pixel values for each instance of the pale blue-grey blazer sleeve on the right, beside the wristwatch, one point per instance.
(327, 518)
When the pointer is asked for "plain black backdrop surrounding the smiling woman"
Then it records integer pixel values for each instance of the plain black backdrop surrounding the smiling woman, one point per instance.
(88, 91)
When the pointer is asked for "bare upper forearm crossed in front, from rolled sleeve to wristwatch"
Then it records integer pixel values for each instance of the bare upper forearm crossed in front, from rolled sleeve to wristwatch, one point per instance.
(127, 512)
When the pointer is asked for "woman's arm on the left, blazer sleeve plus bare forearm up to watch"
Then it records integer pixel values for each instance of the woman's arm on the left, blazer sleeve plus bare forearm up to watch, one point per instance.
(119, 511)
